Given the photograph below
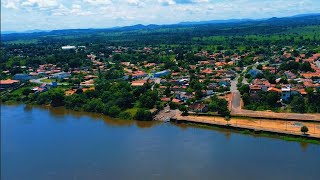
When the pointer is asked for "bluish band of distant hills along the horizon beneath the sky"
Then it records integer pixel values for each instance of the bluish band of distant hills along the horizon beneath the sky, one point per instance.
(214, 27)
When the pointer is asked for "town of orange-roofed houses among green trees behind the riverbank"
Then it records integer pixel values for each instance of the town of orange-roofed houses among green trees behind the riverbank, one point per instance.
(287, 82)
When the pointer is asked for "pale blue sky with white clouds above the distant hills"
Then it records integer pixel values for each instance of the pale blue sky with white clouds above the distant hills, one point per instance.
(21, 15)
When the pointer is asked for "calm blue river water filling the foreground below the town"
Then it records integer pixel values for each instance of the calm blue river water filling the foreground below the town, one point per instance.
(39, 143)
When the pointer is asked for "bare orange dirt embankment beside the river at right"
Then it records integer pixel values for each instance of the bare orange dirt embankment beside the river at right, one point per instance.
(276, 127)
